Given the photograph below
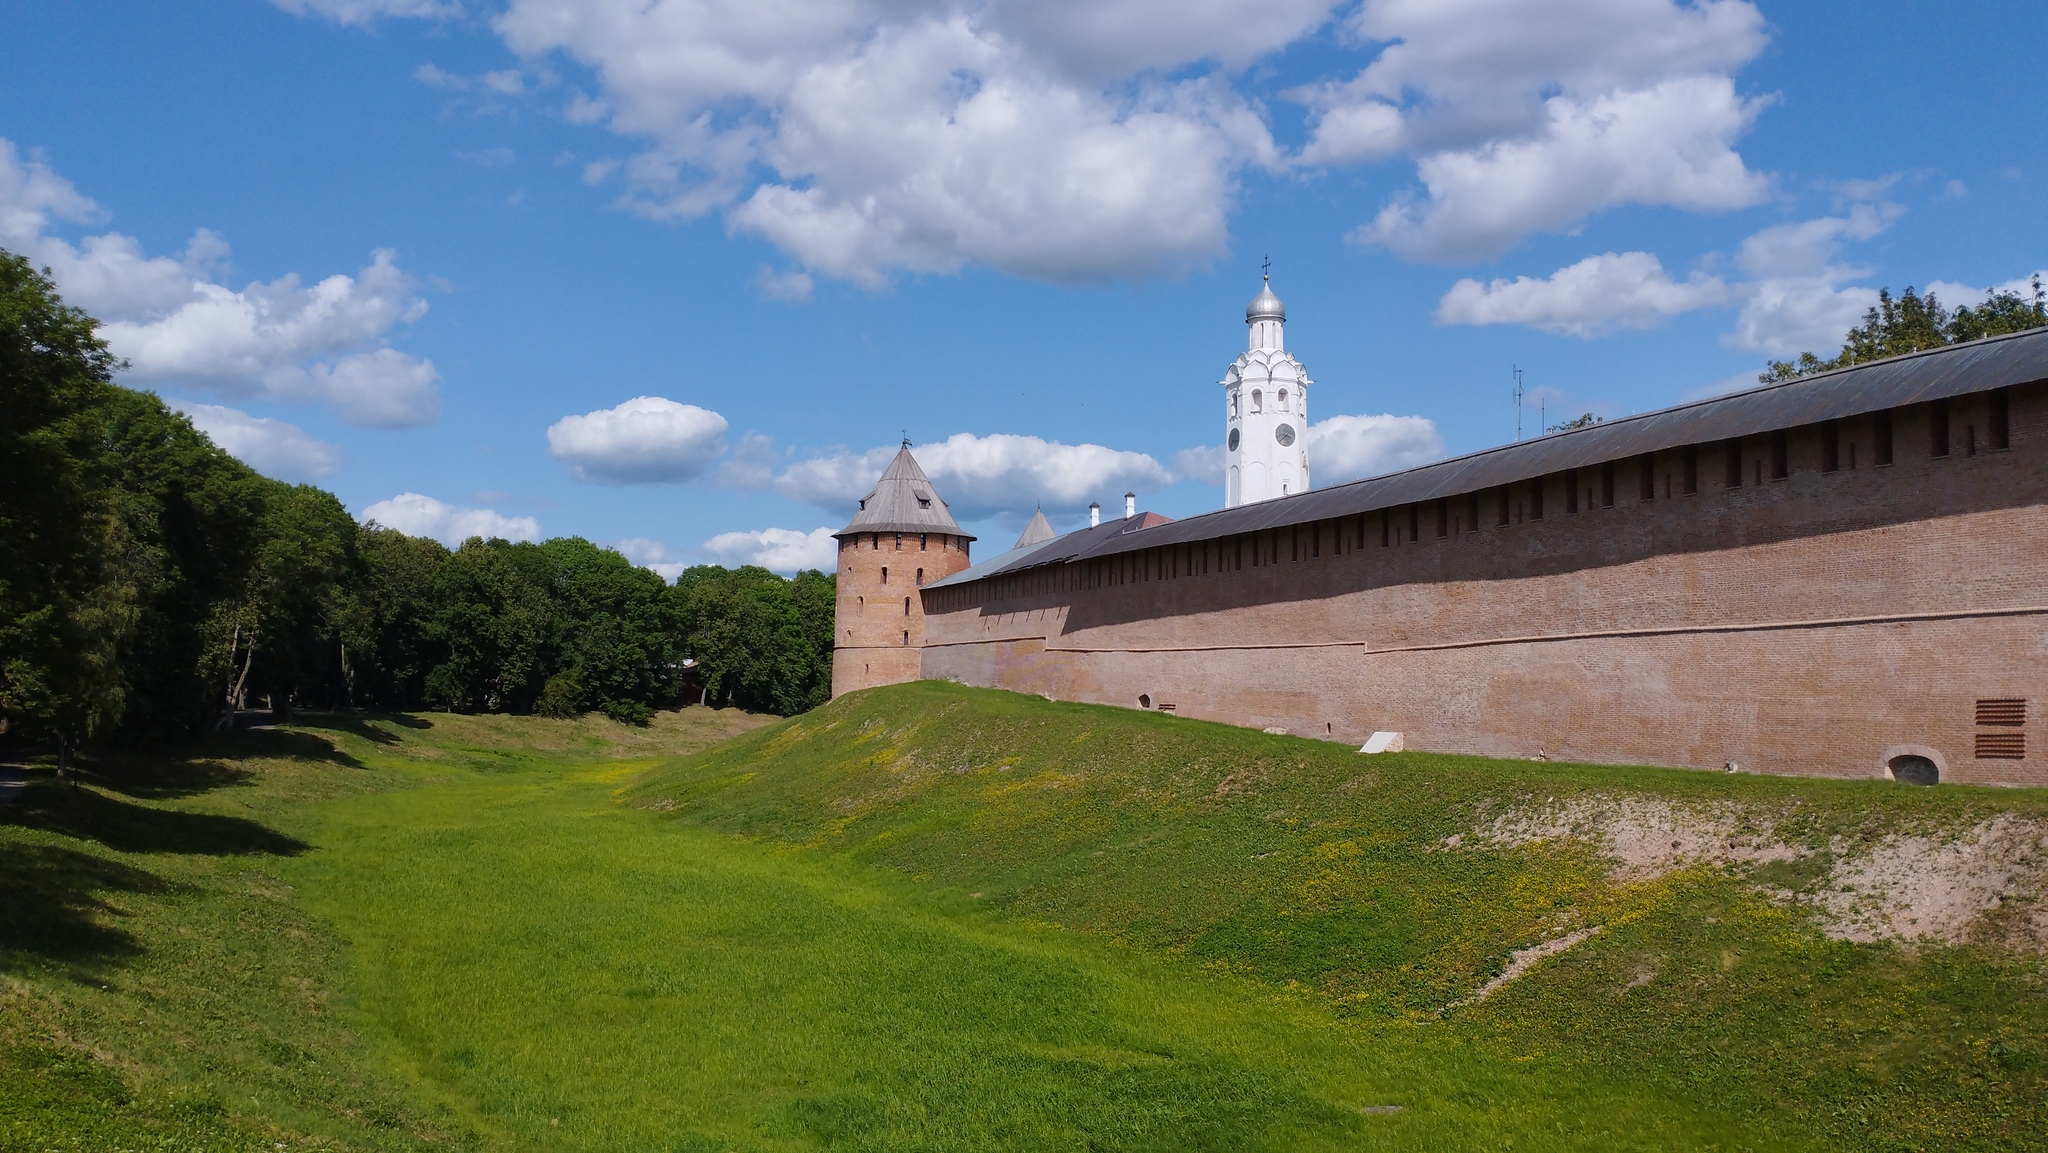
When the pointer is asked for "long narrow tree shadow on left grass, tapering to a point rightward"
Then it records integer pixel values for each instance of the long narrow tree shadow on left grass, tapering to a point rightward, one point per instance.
(89, 814)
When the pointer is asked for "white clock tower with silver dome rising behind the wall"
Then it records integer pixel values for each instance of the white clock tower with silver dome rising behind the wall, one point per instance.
(1267, 413)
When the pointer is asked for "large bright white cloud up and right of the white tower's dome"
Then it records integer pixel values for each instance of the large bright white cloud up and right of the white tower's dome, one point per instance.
(1662, 146)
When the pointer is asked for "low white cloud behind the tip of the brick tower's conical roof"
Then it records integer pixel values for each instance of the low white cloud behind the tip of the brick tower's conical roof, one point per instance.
(984, 476)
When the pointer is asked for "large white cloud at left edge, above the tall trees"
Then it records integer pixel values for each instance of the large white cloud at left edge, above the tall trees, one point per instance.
(175, 323)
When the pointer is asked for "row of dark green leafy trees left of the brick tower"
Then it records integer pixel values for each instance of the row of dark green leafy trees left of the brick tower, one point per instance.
(155, 585)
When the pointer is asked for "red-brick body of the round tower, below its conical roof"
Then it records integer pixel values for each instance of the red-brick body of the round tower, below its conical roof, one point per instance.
(880, 617)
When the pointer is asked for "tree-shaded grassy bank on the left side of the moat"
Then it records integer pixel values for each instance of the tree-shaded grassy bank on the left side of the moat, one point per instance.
(167, 984)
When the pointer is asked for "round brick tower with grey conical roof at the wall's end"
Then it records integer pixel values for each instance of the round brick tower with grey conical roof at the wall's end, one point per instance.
(900, 542)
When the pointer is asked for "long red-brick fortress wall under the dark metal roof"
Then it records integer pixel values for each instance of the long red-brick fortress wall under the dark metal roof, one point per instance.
(1814, 626)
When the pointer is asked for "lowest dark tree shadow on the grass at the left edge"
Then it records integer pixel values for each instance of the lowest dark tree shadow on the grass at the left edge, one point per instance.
(50, 912)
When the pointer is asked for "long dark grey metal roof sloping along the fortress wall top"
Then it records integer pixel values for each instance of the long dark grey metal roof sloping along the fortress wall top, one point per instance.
(1918, 378)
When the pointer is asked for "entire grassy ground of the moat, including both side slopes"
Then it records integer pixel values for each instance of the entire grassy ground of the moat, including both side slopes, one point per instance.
(945, 919)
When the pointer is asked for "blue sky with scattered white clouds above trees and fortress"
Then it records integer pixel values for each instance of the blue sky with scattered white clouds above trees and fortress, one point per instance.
(433, 255)
